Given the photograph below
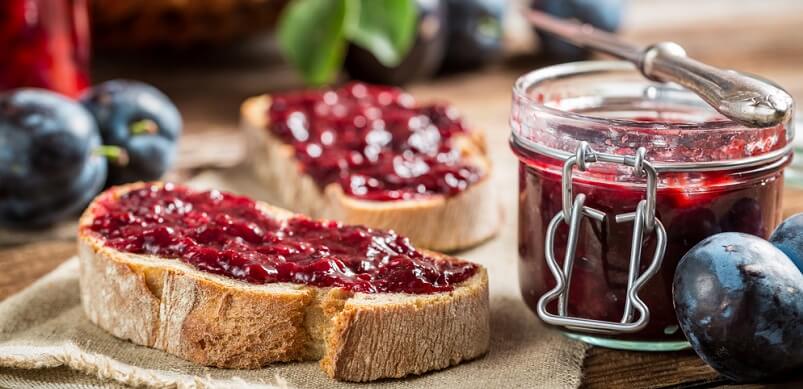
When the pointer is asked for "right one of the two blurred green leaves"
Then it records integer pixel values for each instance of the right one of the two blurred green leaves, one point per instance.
(386, 28)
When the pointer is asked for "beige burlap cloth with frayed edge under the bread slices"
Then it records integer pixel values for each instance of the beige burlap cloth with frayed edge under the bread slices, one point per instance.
(45, 340)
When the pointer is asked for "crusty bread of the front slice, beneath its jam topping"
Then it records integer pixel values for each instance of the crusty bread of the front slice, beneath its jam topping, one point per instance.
(219, 321)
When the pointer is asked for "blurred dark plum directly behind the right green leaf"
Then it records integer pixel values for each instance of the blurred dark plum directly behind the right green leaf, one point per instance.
(423, 59)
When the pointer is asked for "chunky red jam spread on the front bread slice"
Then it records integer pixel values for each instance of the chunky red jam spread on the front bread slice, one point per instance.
(228, 235)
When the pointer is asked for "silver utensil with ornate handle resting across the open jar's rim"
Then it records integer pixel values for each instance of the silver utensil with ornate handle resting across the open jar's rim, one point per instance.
(741, 98)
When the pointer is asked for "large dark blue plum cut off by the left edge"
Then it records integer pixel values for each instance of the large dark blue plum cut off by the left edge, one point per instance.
(48, 168)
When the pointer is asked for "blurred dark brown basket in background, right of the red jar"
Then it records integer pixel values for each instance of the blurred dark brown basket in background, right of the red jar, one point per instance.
(178, 23)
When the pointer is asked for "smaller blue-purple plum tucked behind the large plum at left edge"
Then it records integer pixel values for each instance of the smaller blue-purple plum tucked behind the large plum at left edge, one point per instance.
(139, 126)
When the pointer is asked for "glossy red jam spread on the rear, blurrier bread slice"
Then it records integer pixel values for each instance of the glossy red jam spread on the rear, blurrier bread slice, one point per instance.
(374, 141)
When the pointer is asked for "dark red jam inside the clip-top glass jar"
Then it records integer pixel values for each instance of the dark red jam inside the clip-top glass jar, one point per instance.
(692, 206)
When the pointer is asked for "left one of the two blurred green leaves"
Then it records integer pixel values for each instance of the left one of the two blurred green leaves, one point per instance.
(311, 35)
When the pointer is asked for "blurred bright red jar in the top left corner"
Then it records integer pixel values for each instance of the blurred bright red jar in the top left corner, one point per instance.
(44, 44)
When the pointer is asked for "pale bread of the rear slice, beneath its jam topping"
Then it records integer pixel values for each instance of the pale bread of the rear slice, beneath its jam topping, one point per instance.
(439, 222)
